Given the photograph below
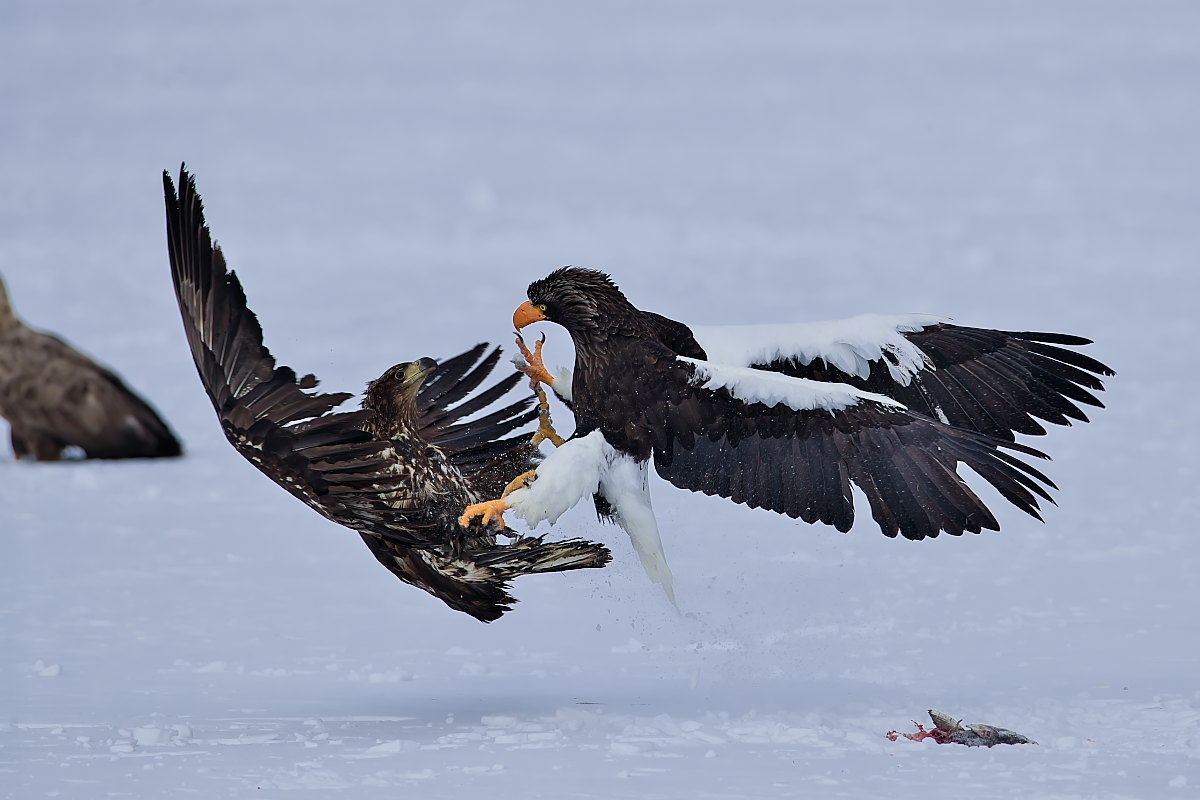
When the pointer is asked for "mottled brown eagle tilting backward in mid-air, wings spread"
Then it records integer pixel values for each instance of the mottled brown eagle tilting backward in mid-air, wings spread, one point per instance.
(400, 470)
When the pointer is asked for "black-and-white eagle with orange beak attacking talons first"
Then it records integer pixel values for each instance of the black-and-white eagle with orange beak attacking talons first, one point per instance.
(787, 418)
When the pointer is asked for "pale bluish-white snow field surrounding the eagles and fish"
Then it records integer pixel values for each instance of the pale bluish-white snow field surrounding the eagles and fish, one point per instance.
(388, 177)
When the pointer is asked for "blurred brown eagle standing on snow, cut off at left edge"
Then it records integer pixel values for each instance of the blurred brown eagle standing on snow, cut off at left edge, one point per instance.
(56, 398)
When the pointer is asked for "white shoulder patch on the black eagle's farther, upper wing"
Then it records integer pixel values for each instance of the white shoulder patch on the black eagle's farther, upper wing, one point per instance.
(849, 345)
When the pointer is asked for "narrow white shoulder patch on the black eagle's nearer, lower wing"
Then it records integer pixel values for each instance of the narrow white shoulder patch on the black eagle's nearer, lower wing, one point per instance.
(773, 389)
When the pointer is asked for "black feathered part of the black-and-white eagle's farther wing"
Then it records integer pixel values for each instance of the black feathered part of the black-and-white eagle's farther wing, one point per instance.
(999, 383)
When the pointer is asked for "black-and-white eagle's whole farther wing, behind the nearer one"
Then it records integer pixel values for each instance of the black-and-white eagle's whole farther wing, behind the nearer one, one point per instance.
(999, 383)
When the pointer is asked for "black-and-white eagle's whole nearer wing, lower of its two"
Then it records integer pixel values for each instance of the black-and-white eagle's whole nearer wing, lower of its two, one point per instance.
(795, 447)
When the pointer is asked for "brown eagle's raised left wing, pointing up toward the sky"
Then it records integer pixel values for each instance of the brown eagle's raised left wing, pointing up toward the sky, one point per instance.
(268, 414)
